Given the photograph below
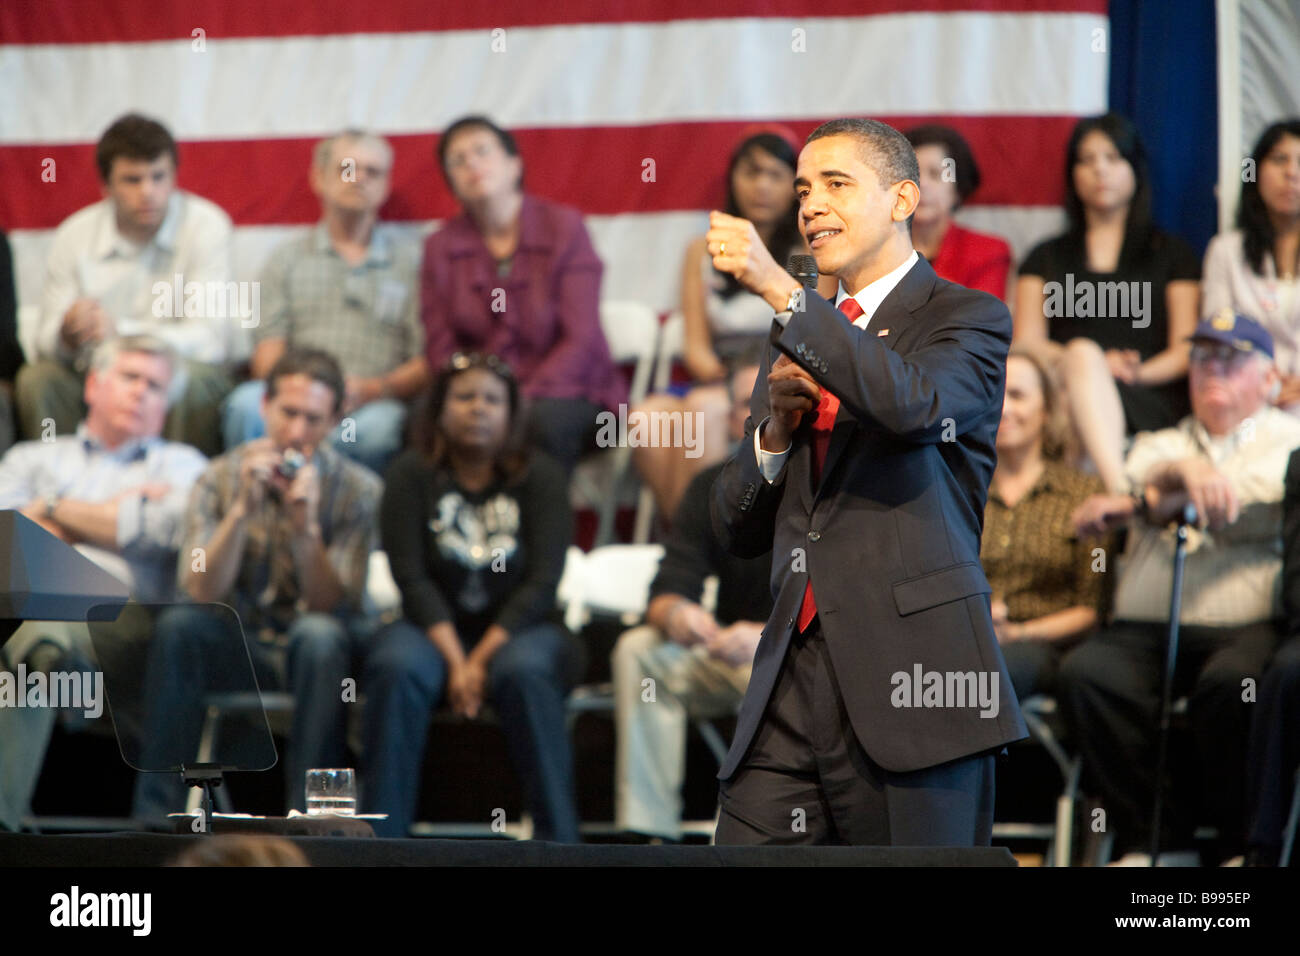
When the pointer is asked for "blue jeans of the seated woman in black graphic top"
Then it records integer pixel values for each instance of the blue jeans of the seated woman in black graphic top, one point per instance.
(528, 682)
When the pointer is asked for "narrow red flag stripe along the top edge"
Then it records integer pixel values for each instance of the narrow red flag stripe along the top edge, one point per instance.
(132, 21)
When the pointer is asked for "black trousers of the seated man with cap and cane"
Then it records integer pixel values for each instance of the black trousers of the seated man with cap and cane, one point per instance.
(1110, 689)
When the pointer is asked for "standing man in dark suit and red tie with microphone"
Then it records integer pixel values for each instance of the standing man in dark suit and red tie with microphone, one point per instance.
(878, 697)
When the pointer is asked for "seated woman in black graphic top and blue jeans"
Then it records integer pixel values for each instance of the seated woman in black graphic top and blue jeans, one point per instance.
(476, 530)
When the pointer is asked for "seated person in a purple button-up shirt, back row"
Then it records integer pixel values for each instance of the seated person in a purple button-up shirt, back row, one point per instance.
(515, 276)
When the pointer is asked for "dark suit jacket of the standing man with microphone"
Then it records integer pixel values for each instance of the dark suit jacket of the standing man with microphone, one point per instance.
(891, 537)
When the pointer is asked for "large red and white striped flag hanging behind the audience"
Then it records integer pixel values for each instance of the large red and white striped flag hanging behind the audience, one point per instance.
(625, 110)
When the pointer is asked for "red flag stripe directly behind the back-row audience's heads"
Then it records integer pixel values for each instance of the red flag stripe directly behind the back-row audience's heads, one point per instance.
(600, 170)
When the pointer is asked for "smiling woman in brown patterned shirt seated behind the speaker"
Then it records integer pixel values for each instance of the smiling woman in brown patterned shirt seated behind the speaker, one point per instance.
(1048, 586)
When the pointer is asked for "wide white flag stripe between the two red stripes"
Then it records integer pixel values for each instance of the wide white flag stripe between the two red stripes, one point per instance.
(1021, 64)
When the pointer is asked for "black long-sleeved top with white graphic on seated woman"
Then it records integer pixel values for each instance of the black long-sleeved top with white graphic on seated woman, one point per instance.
(476, 559)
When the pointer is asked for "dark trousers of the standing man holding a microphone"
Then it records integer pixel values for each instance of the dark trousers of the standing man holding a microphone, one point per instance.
(808, 781)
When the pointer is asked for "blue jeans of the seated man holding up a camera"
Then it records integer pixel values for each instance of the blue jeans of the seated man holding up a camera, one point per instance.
(197, 651)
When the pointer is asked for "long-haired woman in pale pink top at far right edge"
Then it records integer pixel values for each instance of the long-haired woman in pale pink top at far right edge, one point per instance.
(1255, 270)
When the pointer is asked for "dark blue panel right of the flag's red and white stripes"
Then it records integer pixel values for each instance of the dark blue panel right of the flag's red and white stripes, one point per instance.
(1163, 77)
